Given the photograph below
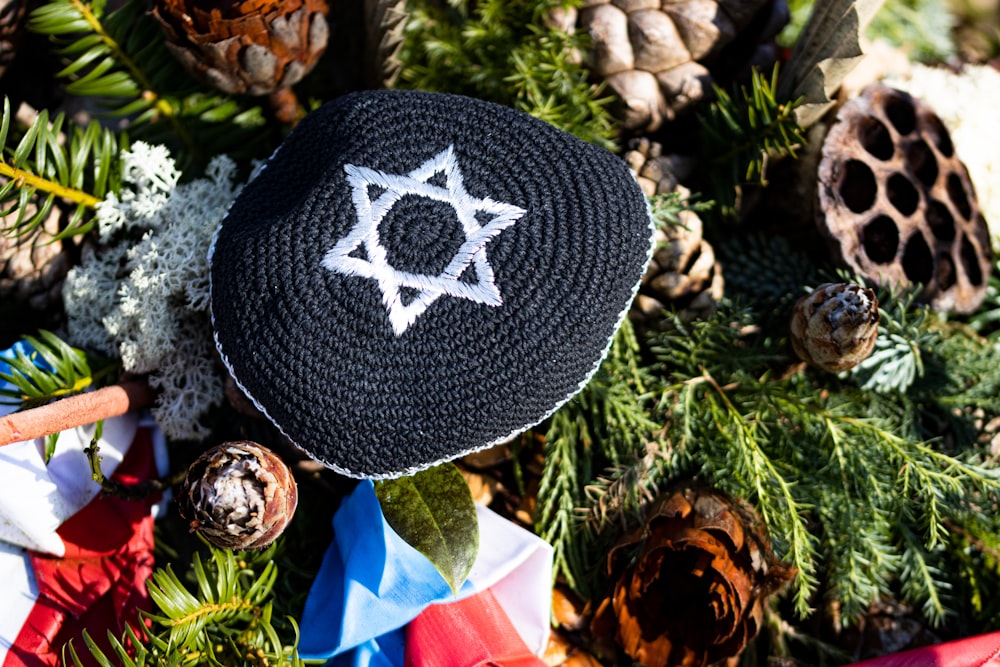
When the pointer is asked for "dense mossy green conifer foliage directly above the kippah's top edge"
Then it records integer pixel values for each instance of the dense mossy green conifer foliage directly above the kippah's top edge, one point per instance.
(505, 52)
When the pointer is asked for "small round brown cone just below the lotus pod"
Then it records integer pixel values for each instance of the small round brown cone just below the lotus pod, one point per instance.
(835, 327)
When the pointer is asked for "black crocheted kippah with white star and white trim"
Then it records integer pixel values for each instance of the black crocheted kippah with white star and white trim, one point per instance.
(415, 276)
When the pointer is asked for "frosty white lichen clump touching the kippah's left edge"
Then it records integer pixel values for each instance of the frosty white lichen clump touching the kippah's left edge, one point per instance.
(144, 294)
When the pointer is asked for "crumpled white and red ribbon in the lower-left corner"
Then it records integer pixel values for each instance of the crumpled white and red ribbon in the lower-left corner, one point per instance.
(71, 559)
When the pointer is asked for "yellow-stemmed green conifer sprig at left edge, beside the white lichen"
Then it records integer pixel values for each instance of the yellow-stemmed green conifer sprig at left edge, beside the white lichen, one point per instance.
(47, 162)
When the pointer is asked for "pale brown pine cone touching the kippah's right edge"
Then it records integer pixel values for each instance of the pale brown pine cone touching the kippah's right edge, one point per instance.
(683, 275)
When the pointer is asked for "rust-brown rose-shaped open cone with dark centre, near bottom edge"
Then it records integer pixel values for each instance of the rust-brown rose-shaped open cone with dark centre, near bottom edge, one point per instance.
(689, 585)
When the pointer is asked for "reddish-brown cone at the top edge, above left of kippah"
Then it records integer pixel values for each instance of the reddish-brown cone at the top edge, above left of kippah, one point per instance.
(256, 47)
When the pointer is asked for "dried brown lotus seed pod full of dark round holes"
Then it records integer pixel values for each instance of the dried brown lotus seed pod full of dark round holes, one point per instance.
(896, 204)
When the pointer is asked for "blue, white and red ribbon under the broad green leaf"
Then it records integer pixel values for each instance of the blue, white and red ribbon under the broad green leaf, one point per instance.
(377, 602)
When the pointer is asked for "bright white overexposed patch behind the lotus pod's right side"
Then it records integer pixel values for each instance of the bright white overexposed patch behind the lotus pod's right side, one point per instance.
(966, 102)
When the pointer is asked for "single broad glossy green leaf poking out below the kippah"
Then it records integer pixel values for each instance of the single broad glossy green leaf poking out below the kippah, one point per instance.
(434, 513)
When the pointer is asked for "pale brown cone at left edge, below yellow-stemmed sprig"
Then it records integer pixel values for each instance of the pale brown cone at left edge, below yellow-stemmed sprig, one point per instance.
(33, 266)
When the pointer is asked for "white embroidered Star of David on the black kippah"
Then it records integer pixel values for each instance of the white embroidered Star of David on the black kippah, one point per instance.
(428, 287)
